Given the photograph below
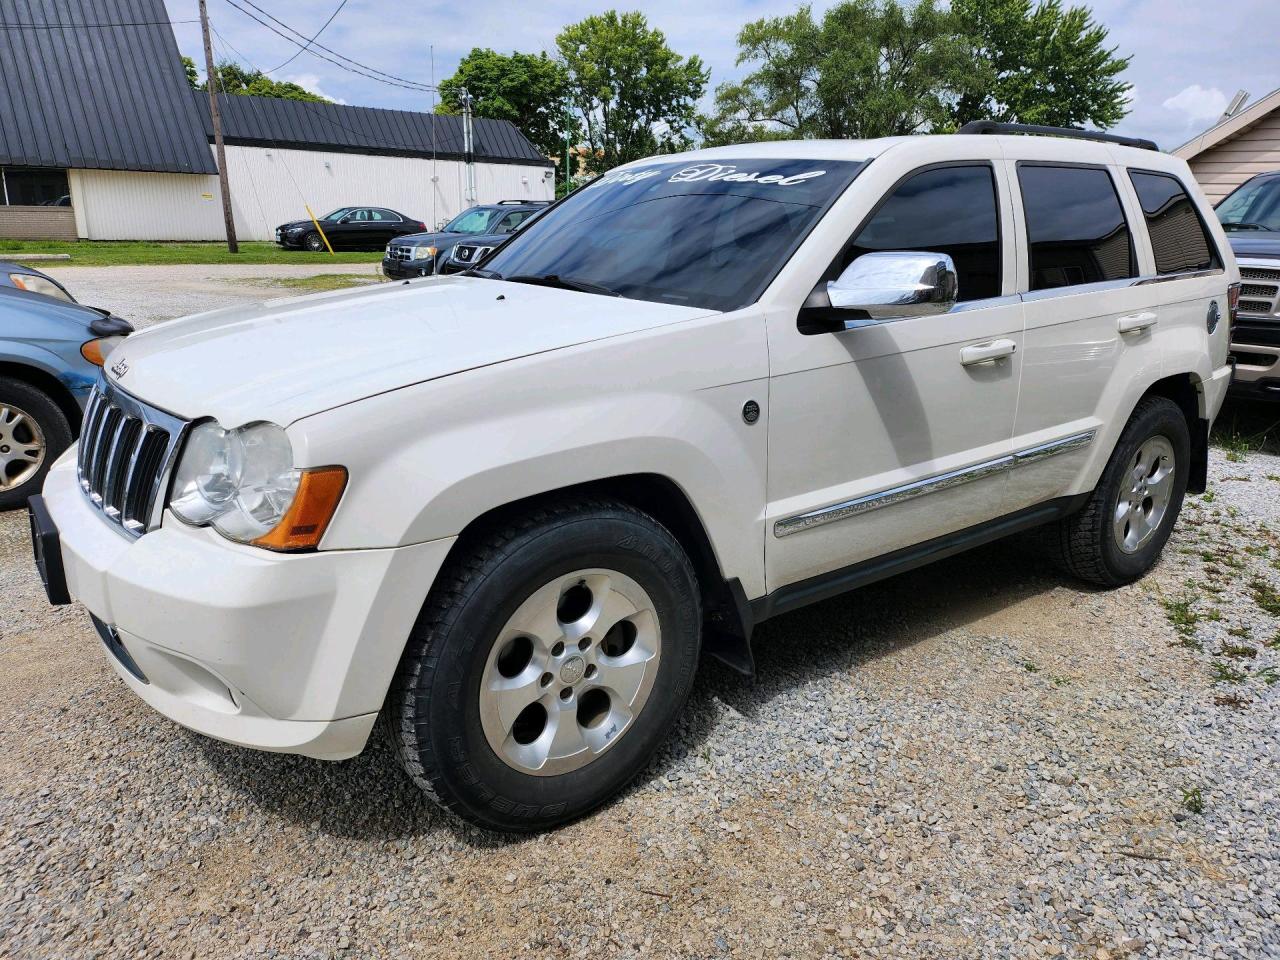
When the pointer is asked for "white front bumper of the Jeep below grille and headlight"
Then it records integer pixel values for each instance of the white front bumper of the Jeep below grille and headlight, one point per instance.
(278, 652)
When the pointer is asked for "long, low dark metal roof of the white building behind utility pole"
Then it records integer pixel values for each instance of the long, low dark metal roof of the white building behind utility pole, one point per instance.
(300, 125)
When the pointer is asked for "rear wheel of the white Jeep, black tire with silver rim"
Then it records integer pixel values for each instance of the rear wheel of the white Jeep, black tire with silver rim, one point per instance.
(1112, 548)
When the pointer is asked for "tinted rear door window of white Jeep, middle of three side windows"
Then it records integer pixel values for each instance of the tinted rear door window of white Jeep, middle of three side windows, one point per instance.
(1076, 227)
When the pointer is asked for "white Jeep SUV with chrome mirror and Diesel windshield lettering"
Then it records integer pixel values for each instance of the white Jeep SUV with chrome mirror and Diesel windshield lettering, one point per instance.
(508, 510)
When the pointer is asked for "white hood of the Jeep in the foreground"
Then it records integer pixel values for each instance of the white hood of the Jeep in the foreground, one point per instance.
(287, 359)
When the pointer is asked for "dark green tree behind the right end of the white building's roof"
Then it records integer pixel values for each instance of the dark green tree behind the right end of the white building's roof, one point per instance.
(527, 89)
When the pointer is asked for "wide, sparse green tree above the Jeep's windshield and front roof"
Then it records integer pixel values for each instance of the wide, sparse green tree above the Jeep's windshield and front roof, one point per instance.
(870, 68)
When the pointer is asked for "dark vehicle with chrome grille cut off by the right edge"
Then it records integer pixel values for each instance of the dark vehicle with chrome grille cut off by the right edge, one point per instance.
(1251, 217)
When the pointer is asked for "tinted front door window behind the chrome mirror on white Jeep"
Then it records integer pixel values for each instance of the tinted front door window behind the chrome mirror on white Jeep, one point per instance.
(947, 211)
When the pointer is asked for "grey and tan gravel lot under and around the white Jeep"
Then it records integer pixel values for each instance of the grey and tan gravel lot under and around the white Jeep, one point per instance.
(979, 760)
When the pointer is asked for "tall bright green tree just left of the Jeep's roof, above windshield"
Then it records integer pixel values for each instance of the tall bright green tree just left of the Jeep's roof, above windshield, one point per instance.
(633, 94)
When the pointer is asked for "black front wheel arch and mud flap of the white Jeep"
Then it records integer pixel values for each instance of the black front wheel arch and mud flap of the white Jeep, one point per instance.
(726, 612)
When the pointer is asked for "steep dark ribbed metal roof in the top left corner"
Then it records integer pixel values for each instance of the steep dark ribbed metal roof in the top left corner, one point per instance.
(112, 98)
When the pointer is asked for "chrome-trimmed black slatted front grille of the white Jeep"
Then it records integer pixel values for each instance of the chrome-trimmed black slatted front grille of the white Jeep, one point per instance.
(125, 458)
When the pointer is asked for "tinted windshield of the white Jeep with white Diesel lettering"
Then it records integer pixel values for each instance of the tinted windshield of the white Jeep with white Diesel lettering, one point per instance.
(705, 235)
